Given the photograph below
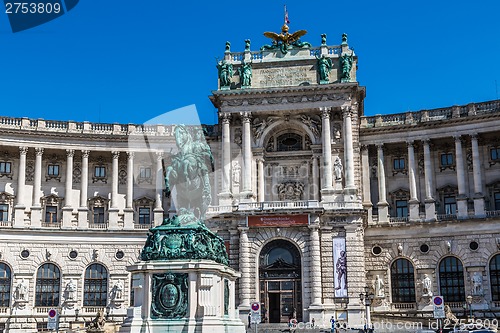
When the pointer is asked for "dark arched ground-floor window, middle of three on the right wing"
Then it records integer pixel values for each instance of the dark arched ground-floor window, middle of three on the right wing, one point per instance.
(451, 280)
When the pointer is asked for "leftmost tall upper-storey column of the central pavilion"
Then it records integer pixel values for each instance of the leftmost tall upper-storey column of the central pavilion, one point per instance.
(225, 195)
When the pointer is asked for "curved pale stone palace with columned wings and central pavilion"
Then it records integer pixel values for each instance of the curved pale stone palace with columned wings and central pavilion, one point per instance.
(316, 202)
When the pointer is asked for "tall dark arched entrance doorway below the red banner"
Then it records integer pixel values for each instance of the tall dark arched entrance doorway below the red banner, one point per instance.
(280, 281)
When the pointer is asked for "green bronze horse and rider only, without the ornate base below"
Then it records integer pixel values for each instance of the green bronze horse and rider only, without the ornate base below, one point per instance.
(189, 173)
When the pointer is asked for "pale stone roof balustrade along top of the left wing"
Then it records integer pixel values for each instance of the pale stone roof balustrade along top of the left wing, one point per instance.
(41, 125)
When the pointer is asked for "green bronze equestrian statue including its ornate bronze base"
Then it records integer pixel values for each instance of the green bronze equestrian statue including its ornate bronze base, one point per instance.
(185, 235)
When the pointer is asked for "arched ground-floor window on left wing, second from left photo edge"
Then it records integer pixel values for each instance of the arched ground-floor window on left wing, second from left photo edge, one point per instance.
(48, 284)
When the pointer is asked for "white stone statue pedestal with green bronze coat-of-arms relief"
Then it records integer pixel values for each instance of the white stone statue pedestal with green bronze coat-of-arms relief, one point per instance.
(191, 296)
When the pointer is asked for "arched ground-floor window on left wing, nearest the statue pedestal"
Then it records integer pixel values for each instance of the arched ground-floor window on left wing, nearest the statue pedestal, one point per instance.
(95, 288)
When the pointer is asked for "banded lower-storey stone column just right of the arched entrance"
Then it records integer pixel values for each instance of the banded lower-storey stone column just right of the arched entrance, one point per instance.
(315, 265)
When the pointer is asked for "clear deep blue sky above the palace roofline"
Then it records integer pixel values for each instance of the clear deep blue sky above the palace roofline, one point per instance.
(129, 61)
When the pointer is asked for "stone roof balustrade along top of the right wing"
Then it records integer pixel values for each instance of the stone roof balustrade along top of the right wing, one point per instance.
(431, 115)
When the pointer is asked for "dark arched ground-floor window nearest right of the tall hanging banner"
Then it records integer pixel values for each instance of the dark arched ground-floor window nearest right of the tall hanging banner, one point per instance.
(402, 281)
